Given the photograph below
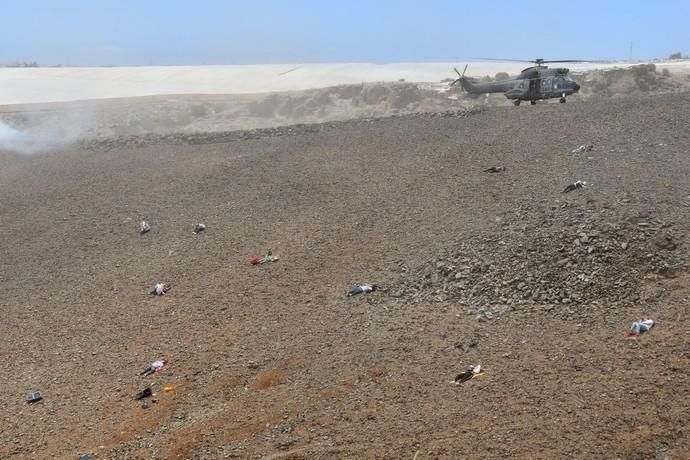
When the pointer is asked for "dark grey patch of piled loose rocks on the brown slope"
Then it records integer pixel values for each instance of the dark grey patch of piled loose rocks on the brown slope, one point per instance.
(541, 265)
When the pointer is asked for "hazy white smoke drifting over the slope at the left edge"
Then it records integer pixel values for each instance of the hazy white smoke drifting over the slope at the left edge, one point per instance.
(43, 132)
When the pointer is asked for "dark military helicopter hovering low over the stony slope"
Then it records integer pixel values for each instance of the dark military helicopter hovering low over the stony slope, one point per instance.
(533, 83)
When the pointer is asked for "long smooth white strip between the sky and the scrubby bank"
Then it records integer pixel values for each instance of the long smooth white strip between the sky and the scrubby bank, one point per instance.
(40, 85)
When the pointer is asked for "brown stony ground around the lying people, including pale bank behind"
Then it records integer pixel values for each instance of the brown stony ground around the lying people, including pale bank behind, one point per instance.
(275, 361)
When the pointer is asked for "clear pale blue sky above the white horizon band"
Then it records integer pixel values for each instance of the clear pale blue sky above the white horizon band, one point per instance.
(175, 32)
